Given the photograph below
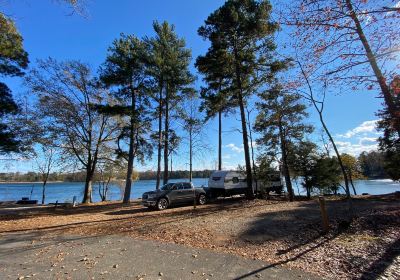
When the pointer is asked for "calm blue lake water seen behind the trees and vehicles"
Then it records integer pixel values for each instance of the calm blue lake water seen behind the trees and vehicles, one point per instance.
(64, 192)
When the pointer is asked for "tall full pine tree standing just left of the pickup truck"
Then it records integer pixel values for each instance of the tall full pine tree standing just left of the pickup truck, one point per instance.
(125, 71)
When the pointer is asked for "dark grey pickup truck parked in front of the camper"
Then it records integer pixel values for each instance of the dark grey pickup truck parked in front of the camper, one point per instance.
(174, 194)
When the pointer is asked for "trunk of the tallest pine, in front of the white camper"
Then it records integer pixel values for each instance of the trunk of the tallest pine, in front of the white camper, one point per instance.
(249, 174)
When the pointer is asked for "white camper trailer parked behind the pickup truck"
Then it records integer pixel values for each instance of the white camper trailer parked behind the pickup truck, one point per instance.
(227, 183)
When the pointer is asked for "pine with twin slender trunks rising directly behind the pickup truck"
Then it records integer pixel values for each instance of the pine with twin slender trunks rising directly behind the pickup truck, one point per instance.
(168, 65)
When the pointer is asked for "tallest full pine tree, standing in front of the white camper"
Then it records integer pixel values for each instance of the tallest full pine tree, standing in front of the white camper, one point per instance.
(240, 33)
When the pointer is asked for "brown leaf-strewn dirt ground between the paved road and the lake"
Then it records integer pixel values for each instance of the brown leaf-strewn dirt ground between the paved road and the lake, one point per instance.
(277, 232)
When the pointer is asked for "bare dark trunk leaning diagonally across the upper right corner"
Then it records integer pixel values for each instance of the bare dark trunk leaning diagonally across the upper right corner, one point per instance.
(374, 64)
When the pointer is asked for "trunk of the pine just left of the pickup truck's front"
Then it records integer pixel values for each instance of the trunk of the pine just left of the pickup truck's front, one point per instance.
(131, 156)
